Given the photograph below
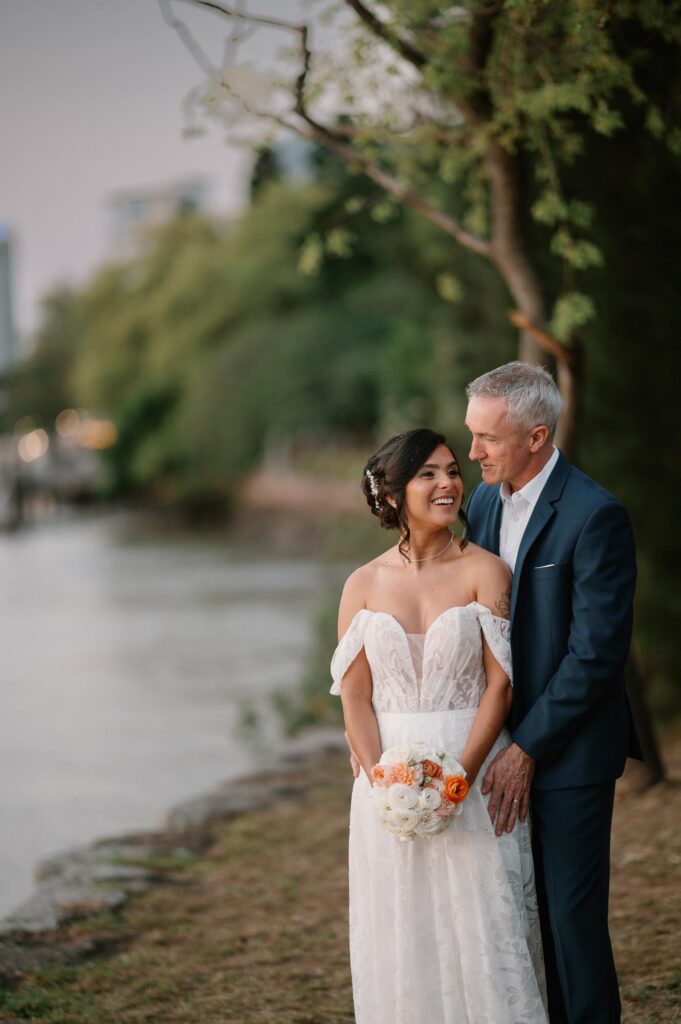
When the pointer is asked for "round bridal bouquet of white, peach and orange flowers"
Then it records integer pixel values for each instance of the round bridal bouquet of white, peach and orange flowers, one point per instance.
(417, 791)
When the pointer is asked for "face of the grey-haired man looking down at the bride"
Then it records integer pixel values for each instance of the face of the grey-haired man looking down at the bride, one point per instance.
(501, 448)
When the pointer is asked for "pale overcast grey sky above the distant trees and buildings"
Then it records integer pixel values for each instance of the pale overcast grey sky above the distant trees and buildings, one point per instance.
(91, 103)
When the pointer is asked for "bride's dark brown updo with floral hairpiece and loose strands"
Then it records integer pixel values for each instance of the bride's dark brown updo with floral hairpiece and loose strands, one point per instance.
(390, 471)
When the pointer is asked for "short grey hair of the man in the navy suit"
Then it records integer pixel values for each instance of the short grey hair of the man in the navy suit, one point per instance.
(531, 394)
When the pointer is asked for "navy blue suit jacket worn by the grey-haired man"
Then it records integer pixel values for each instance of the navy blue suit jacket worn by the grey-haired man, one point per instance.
(571, 627)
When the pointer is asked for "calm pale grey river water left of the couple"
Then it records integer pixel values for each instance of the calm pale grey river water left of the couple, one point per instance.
(126, 667)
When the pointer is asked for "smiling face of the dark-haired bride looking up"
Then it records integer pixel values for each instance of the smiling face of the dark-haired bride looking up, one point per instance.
(434, 496)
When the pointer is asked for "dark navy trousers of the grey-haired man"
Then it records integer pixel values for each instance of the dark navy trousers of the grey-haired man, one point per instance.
(572, 849)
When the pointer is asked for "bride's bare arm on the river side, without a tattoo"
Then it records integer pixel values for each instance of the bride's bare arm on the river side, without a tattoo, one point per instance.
(357, 686)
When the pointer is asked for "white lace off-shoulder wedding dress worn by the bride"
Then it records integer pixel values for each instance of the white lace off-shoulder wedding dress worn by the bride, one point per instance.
(444, 930)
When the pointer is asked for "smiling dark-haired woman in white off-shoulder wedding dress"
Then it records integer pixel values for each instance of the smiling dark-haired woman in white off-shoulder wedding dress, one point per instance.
(444, 929)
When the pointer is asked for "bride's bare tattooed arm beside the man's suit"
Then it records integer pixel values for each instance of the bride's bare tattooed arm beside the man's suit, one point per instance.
(494, 591)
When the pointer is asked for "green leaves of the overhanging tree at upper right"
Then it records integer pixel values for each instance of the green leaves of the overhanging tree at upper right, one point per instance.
(538, 80)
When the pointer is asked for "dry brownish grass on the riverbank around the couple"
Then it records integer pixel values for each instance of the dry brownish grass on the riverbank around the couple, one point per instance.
(254, 929)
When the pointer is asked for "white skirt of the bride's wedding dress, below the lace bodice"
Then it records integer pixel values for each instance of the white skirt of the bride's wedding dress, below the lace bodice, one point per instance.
(444, 930)
